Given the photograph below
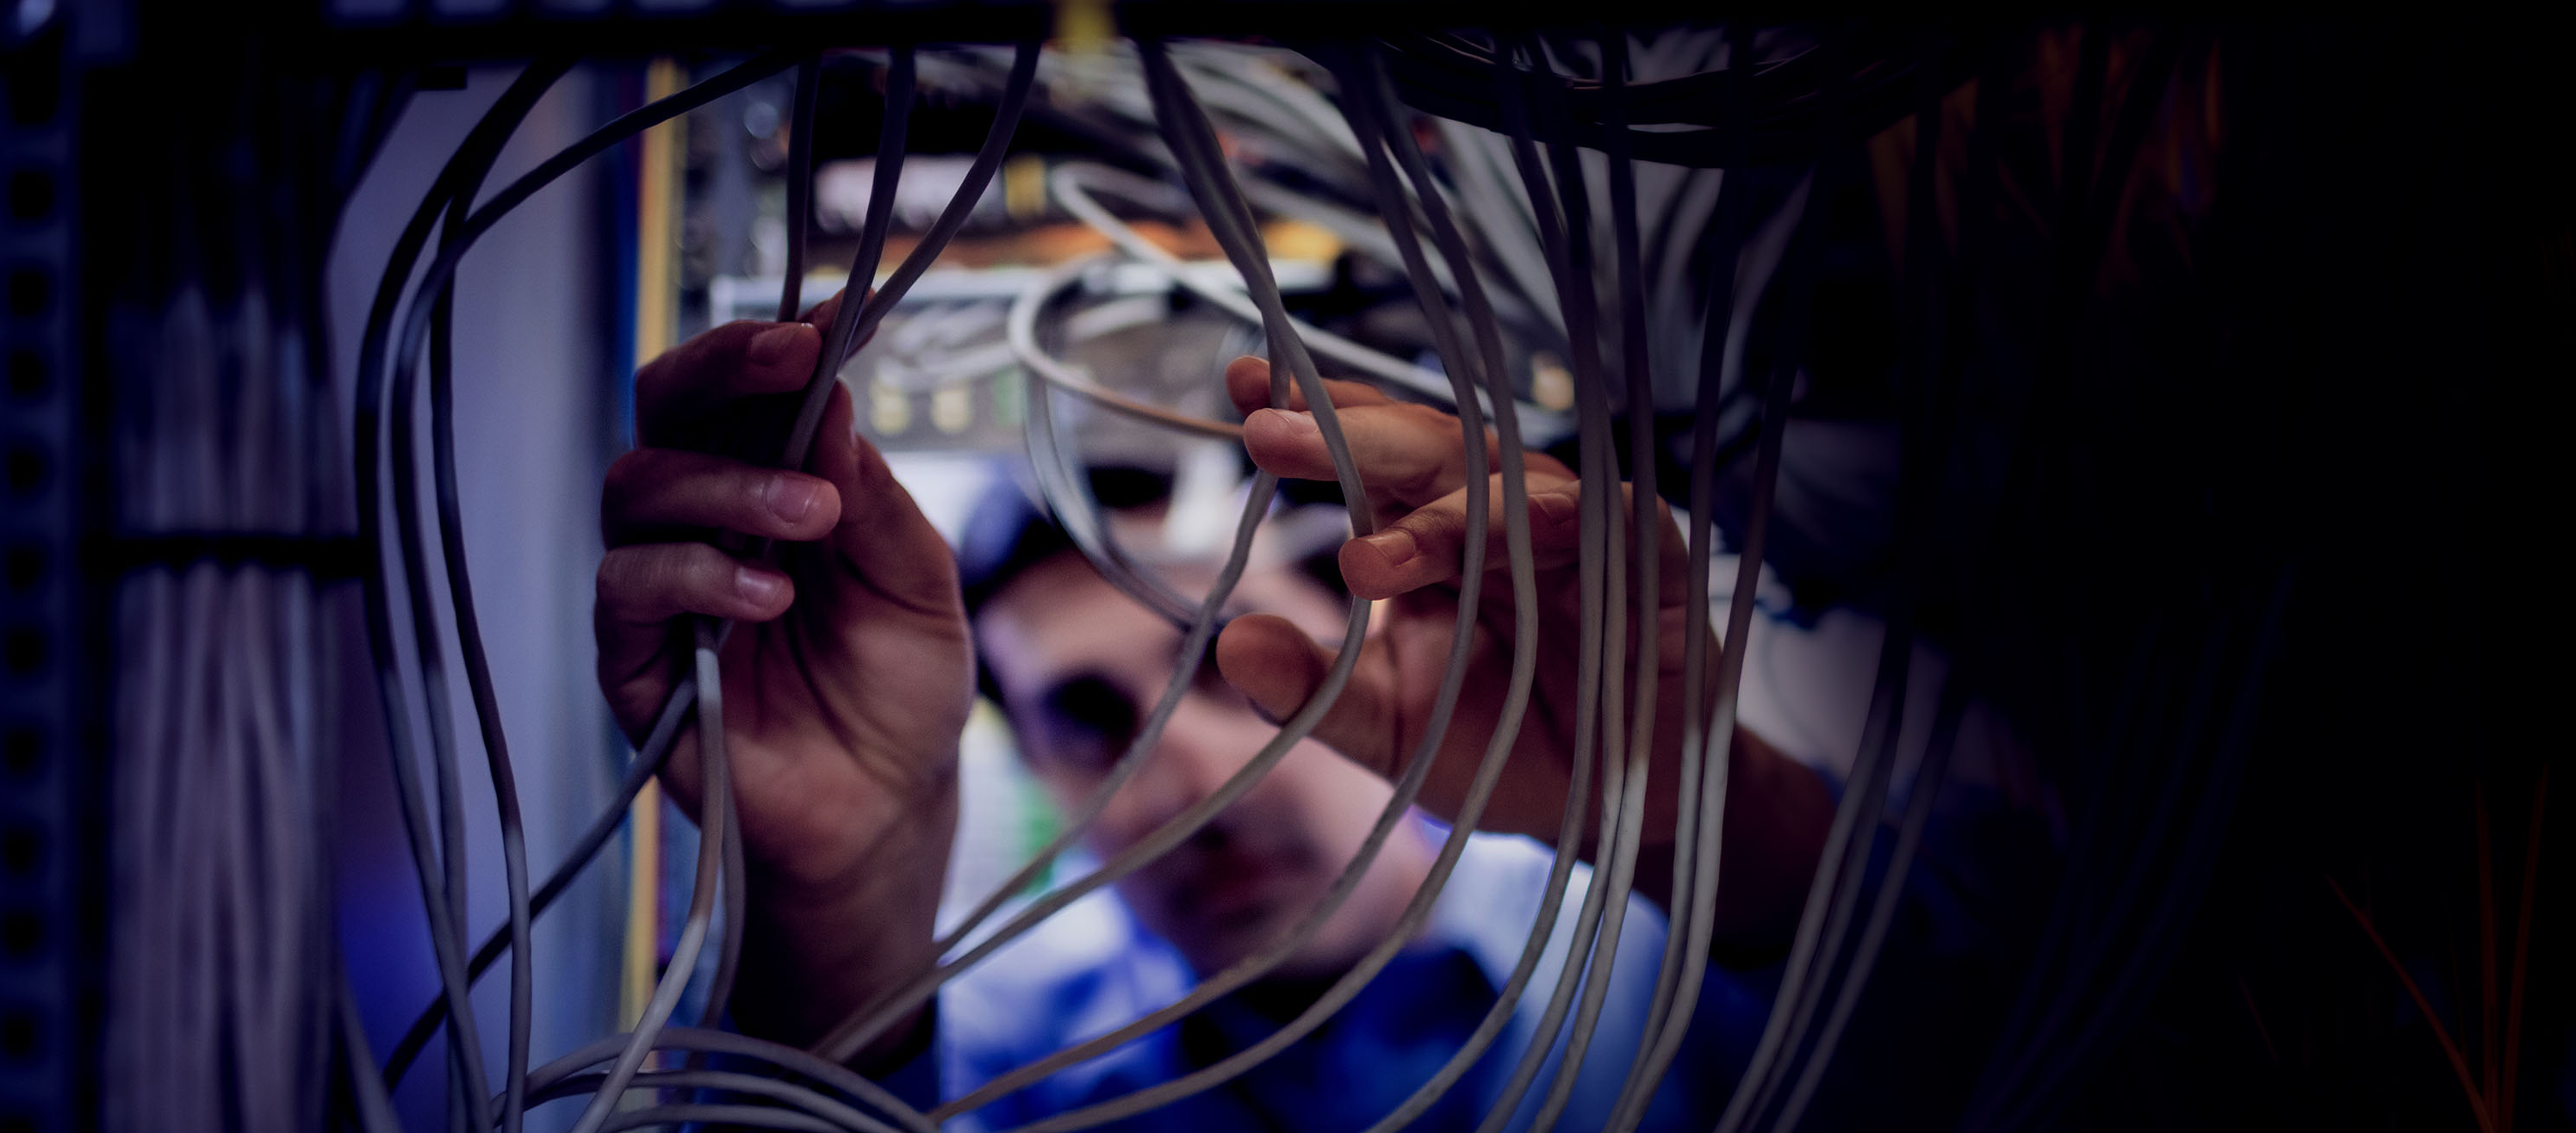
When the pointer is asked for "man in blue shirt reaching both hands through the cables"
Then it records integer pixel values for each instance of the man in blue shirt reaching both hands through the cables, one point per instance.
(851, 679)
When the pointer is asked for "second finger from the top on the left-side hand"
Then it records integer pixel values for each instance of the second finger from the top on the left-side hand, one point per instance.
(663, 491)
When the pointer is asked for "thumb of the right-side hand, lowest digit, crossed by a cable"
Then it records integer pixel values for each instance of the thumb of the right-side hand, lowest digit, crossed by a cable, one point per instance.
(1279, 668)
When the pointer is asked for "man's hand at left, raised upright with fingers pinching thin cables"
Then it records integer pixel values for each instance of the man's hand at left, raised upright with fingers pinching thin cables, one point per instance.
(846, 681)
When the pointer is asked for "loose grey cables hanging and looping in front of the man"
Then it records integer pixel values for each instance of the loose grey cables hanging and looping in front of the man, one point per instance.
(1619, 576)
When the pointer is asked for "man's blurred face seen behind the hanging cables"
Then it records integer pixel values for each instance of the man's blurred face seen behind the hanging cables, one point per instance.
(1081, 668)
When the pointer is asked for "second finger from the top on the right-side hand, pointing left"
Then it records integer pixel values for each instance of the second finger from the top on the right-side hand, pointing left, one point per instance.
(1408, 454)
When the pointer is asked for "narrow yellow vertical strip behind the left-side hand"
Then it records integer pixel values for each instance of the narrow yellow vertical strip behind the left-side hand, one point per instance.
(658, 295)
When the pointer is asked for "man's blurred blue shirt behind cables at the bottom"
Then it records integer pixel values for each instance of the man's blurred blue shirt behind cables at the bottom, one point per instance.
(1094, 969)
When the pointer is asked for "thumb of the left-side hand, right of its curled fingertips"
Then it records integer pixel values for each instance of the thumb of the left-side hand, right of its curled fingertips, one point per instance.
(882, 534)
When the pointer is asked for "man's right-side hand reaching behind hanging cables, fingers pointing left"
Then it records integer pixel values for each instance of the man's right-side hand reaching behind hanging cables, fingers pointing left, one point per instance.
(1413, 465)
